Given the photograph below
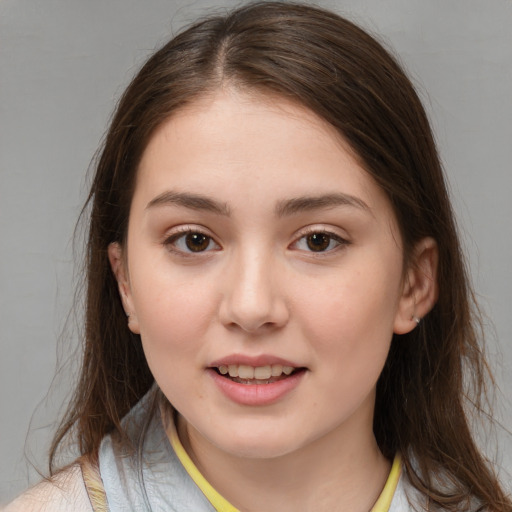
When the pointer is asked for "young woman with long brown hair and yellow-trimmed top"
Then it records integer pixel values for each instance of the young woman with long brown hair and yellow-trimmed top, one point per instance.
(278, 313)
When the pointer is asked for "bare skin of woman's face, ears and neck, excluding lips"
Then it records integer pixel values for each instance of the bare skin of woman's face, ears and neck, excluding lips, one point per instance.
(258, 289)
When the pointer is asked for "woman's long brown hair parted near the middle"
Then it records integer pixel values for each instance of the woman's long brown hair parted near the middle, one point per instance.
(331, 66)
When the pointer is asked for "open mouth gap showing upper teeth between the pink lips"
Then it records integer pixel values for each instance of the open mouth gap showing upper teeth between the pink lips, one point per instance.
(256, 375)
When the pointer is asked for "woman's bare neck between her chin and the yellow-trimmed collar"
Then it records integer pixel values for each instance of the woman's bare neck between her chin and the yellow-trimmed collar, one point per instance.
(343, 470)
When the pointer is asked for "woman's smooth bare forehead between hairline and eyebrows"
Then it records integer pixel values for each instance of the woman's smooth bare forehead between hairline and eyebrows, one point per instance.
(243, 146)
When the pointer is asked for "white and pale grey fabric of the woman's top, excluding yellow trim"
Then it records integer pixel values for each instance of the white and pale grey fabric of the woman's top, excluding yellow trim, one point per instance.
(155, 482)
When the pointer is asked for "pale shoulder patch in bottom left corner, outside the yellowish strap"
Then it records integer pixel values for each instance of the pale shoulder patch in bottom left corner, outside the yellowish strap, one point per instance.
(65, 491)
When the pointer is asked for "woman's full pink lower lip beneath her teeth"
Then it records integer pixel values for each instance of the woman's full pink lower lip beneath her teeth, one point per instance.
(256, 394)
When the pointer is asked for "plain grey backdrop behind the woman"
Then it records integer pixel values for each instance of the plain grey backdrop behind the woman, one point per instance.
(62, 65)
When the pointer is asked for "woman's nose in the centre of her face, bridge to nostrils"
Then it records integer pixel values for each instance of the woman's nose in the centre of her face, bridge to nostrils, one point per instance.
(253, 299)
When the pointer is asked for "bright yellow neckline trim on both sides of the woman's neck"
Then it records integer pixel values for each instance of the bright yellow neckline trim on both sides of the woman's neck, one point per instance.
(222, 505)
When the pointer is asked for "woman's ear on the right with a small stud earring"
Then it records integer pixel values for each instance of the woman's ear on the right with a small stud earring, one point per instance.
(420, 288)
